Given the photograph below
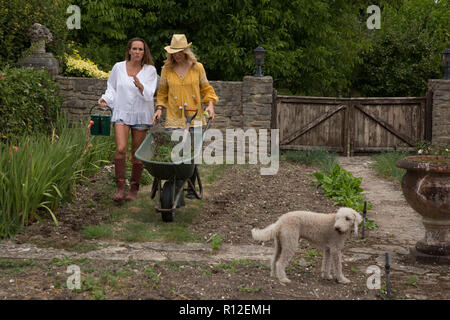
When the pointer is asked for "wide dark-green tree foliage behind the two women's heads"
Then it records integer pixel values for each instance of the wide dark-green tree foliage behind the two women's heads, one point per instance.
(311, 46)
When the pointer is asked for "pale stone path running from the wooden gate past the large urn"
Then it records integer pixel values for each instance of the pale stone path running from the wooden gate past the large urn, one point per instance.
(395, 218)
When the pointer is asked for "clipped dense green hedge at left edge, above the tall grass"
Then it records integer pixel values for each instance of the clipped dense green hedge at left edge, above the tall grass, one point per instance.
(29, 102)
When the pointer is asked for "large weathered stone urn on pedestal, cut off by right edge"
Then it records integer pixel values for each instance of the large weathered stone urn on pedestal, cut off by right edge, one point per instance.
(426, 187)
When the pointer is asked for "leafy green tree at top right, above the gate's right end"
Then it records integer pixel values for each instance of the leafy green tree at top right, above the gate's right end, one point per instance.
(406, 51)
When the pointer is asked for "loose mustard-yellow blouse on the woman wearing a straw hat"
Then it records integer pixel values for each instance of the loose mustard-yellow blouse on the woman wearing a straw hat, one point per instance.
(194, 89)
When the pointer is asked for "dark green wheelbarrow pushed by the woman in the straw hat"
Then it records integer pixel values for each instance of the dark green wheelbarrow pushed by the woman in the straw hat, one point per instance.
(170, 195)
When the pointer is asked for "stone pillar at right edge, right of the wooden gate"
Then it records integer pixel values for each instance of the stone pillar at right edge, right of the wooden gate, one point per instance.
(440, 91)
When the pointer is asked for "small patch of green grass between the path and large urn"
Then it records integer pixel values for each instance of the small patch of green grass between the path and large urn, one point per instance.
(384, 165)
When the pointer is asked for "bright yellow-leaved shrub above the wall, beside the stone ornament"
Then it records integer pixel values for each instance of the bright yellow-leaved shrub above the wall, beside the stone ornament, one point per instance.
(76, 66)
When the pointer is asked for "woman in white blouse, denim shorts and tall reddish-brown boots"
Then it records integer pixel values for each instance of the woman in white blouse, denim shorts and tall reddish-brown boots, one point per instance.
(130, 90)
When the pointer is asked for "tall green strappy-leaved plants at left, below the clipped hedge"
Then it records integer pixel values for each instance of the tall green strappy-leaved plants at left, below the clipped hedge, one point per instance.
(38, 172)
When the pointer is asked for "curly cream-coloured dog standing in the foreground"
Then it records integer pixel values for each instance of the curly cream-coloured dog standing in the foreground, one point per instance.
(327, 231)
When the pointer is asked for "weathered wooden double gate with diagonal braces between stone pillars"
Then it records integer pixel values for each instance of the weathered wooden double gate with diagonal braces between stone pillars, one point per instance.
(350, 125)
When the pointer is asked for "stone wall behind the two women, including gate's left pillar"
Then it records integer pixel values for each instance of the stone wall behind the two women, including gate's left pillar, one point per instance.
(242, 104)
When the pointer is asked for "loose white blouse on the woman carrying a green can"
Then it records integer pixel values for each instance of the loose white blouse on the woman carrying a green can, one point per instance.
(127, 102)
